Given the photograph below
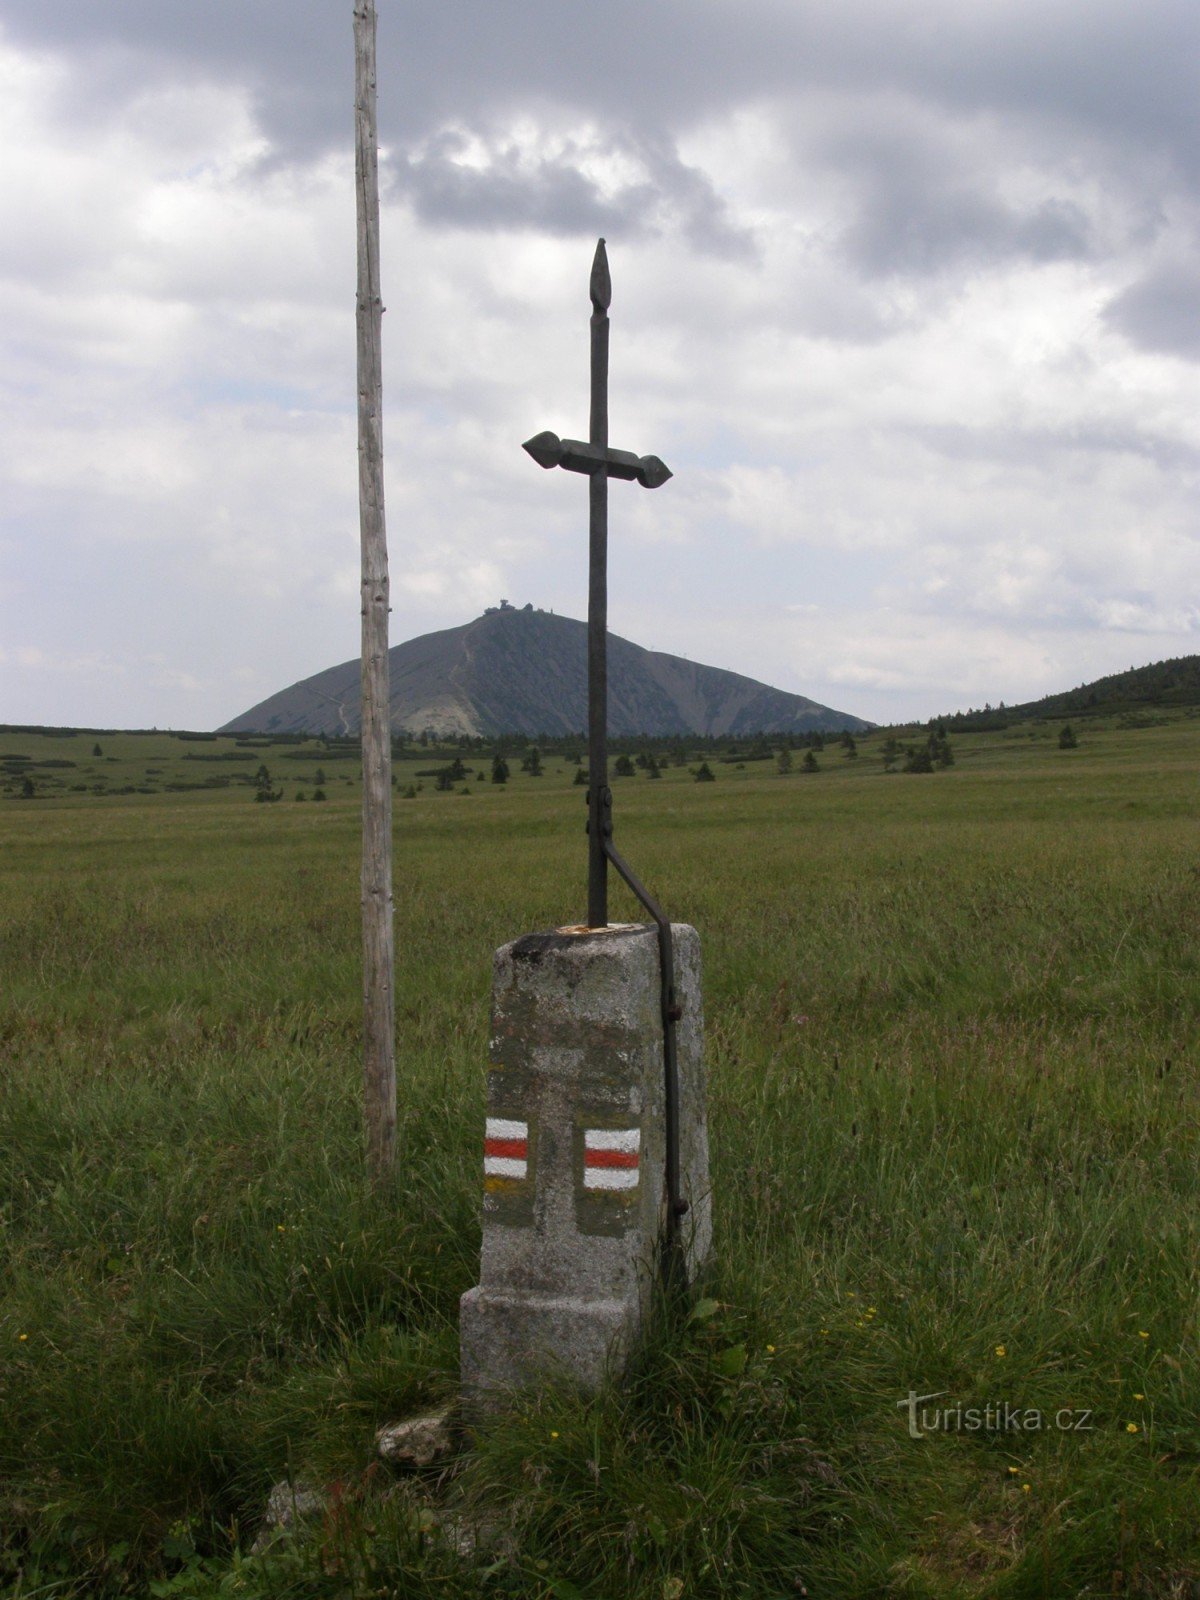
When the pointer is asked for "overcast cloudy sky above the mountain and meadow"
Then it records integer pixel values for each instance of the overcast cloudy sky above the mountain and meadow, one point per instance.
(905, 292)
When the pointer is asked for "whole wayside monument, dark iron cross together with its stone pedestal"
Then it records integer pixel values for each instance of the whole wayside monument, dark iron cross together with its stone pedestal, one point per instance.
(596, 1158)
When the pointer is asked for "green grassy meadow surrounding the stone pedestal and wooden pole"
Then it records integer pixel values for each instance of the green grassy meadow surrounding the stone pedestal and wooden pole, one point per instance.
(956, 1151)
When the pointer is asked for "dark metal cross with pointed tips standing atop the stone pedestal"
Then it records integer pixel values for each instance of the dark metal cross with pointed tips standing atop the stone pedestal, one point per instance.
(601, 465)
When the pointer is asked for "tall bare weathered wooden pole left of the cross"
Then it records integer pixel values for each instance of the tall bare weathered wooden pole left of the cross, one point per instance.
(377, 735)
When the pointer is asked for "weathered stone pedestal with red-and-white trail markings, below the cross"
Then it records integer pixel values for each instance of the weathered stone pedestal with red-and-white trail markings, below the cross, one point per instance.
(575, 1156)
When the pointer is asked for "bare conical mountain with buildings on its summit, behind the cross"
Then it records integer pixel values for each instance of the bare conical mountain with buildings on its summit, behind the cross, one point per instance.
(524, 671)
